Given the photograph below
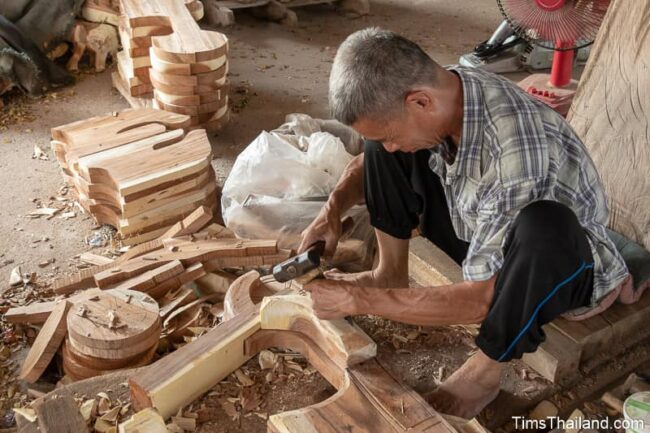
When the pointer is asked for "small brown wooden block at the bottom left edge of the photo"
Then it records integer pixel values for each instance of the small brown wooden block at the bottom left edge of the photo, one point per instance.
(59, 414)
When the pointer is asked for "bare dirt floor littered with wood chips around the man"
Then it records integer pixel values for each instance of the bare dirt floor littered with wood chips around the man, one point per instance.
(275, 70)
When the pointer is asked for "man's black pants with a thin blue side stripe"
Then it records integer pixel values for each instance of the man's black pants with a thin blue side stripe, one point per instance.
(548, 266)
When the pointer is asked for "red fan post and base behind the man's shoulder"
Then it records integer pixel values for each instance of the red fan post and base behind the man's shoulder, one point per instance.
(557, 88)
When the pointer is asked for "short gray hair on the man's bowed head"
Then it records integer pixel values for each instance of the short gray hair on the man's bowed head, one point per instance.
(373, 71)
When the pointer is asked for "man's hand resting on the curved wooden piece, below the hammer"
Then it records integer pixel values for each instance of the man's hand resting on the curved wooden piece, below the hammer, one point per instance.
(332, 299)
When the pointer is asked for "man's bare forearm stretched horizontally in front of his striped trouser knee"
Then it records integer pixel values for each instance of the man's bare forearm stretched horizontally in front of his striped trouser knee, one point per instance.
(455, 304)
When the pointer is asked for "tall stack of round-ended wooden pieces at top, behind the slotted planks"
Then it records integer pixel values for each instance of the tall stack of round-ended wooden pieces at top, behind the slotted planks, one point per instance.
(168, 57)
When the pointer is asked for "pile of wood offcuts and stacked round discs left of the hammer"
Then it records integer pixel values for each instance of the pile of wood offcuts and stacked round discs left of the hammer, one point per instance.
(156, 291)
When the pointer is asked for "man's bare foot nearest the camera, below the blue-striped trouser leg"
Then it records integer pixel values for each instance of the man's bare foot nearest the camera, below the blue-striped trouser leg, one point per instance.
(469, 389)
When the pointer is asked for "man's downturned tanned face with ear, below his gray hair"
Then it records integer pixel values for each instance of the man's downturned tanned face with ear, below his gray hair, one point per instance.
(419, 126)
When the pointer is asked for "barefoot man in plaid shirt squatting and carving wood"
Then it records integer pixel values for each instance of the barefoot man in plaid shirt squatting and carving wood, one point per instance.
(496, 179)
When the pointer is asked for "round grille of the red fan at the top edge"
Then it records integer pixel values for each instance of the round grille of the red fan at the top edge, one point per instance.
(573, 25)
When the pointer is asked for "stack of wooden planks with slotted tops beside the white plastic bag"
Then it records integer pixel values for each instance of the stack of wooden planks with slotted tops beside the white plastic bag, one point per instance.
(137, 170)
